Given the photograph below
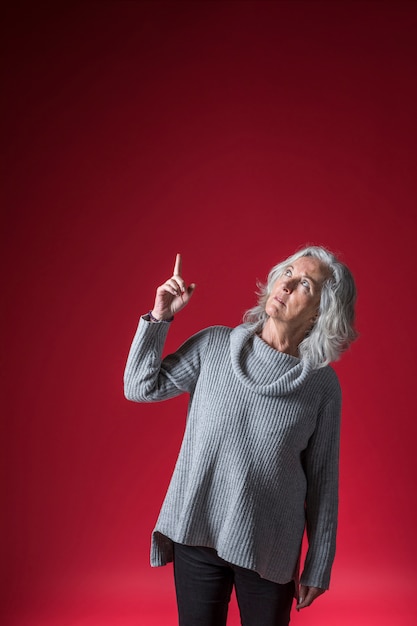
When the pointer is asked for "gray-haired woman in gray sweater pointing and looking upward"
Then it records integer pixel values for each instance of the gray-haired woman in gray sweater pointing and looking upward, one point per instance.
(259, 458)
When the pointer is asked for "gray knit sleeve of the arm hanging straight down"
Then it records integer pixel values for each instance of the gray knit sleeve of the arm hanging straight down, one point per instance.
(321, 464)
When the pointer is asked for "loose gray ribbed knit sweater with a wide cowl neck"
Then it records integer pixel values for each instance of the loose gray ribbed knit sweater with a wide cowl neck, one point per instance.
(259, 458)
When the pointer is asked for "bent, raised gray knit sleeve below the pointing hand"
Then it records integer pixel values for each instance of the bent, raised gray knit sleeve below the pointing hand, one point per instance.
(148, 378)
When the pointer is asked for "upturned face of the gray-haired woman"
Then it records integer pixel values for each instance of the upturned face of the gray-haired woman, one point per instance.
(295, 296)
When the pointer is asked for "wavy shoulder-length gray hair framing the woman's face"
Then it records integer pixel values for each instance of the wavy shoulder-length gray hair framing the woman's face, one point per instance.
(333, 330)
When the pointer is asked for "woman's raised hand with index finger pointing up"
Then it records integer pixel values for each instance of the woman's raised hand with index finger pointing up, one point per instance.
(173, 295)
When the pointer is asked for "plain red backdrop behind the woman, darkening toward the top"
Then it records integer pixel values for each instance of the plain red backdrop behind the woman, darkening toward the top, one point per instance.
(234, 132)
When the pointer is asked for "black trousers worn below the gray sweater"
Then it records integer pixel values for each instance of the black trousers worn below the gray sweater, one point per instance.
(204, 584)
